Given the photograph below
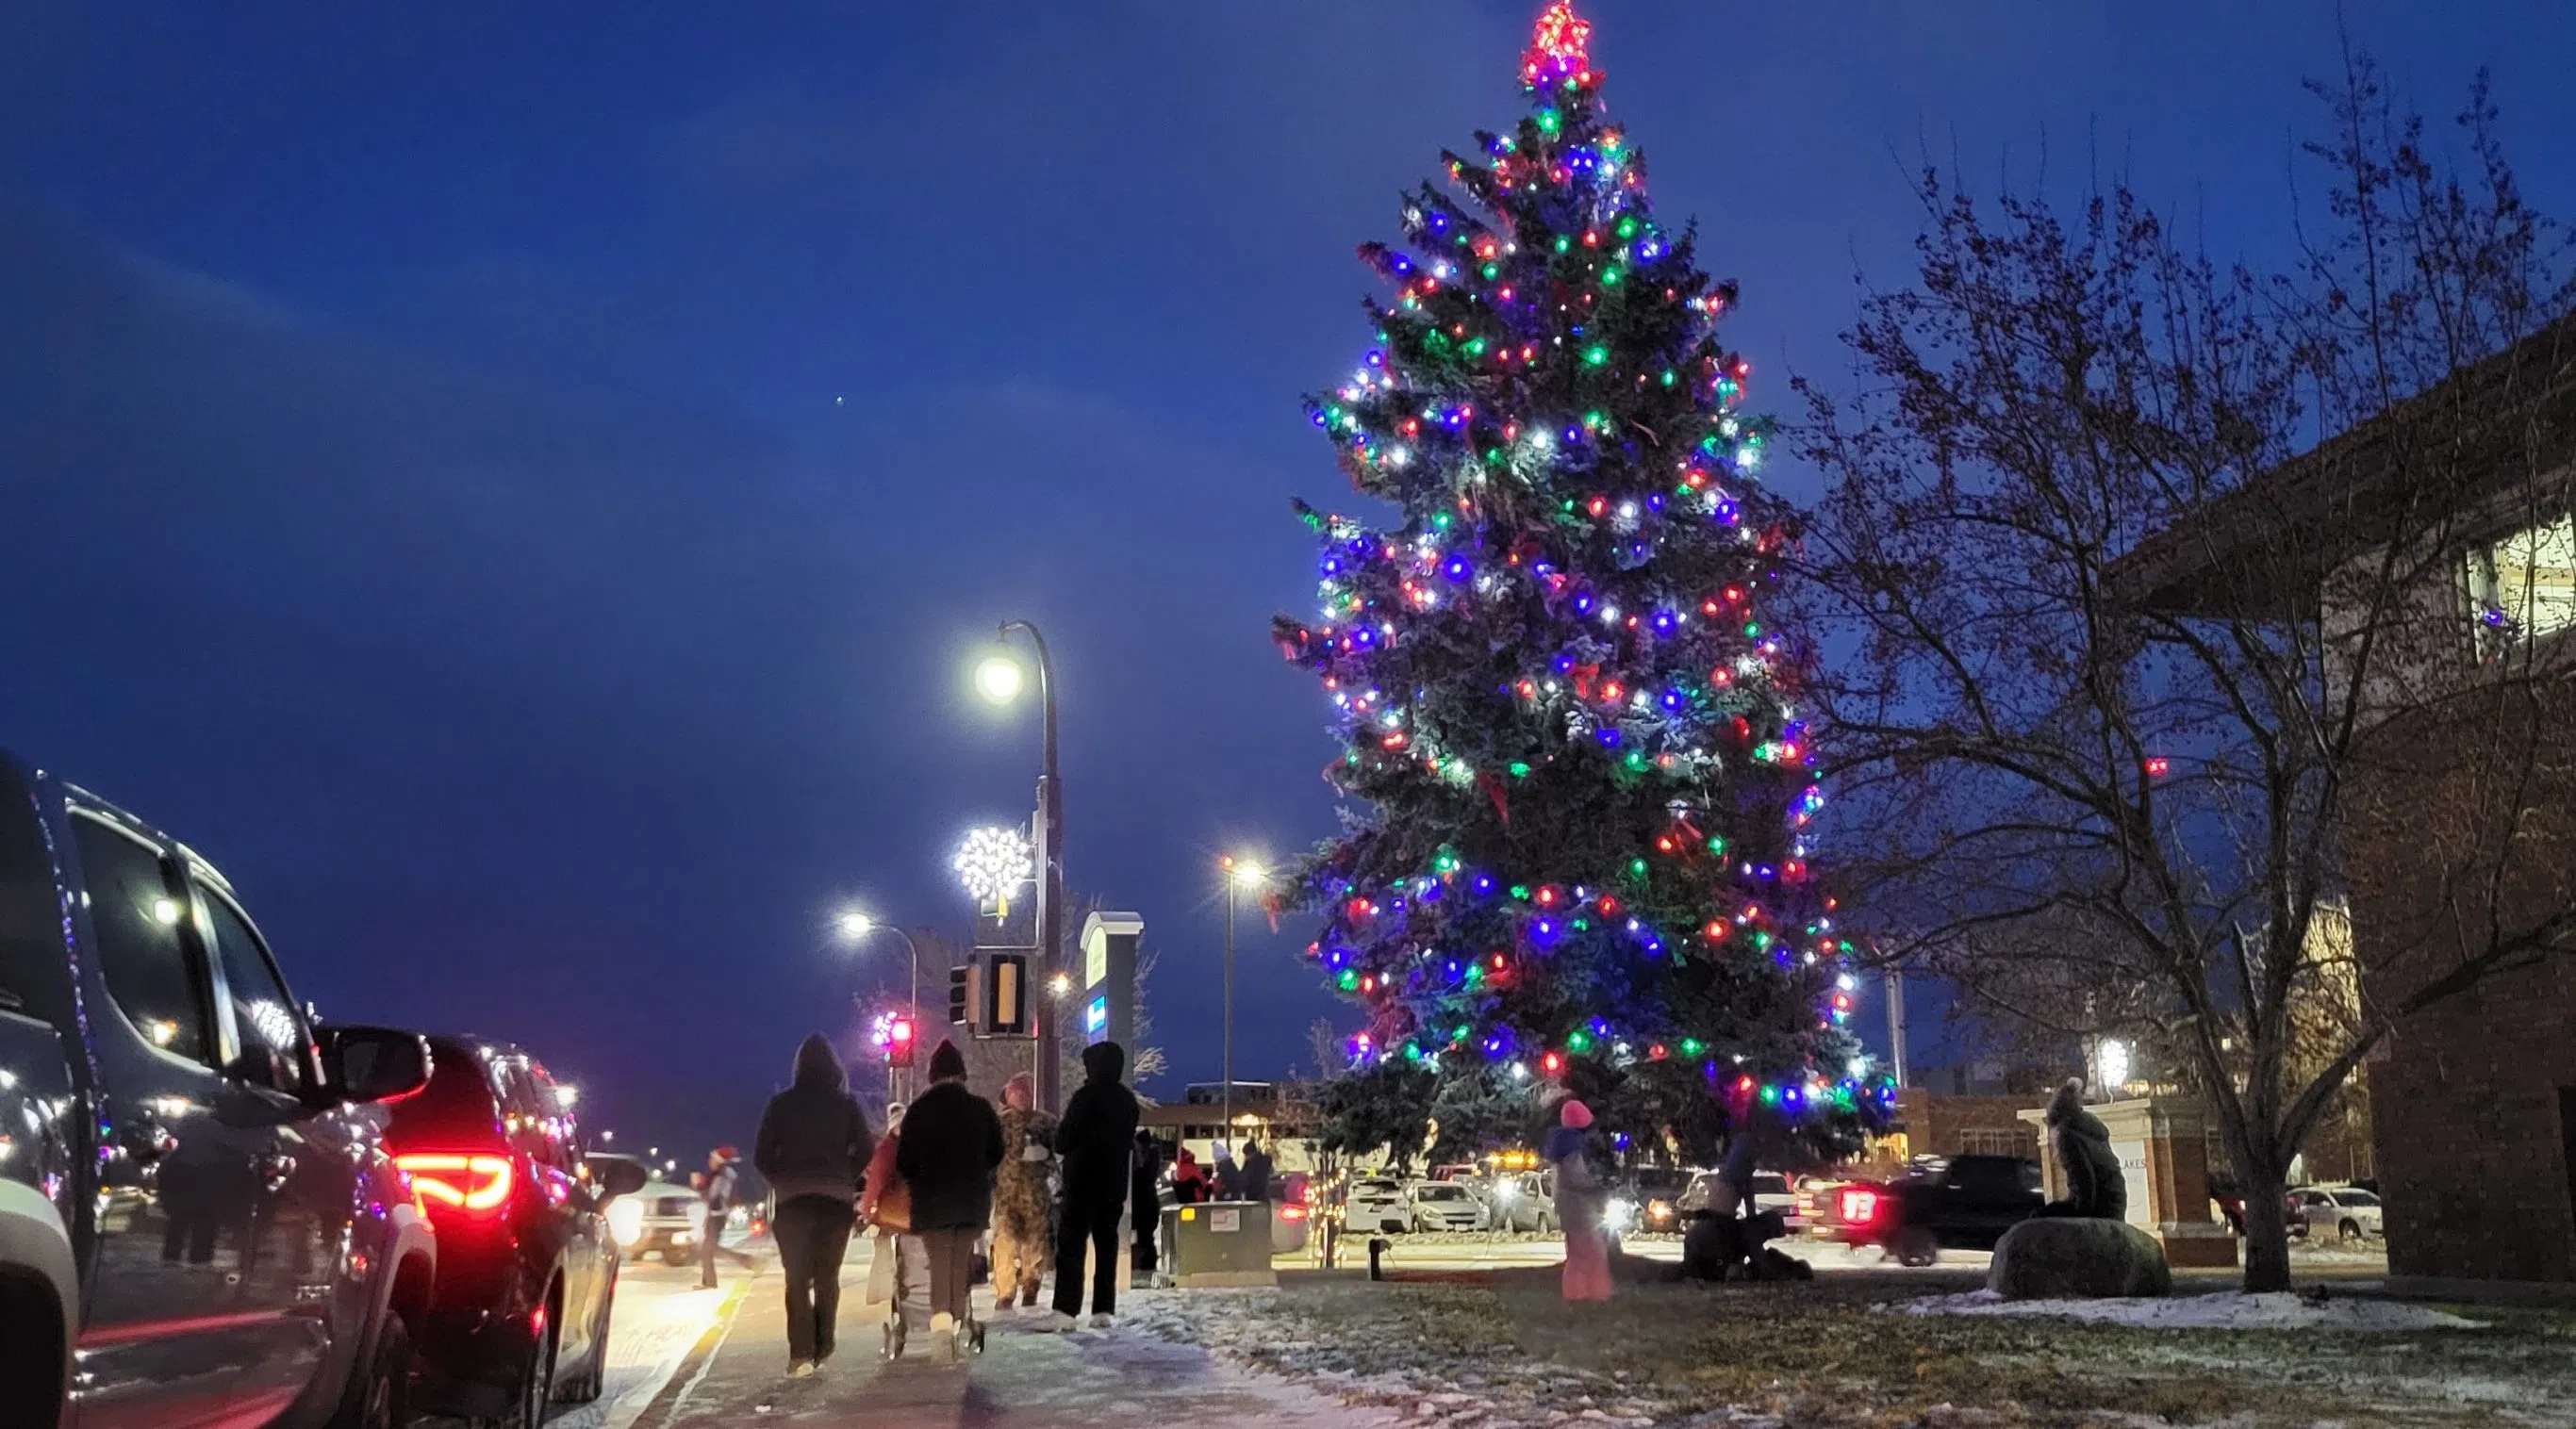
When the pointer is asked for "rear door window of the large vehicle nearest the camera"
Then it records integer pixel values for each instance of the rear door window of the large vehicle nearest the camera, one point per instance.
(138, 913)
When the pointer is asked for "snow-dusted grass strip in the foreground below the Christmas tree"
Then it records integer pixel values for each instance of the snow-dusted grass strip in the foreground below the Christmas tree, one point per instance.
(1501, 1350)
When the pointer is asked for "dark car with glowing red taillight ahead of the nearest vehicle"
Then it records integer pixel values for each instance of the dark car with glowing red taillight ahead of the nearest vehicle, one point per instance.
(527, 1266)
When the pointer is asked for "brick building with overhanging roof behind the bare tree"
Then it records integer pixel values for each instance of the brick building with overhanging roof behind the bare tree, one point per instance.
(2461, 807)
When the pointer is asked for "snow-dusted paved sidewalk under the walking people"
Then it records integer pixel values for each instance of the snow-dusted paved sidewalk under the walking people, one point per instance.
(1024, 1381)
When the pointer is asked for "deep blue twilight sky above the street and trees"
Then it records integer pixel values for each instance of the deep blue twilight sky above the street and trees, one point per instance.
(519, 485)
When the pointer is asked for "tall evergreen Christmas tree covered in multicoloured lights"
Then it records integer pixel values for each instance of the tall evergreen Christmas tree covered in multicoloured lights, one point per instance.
(1573, 725)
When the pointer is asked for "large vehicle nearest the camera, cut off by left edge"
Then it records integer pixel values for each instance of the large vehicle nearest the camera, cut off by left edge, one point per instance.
(192, 1188)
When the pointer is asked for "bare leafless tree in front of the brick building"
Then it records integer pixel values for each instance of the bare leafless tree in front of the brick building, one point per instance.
(2142, 581)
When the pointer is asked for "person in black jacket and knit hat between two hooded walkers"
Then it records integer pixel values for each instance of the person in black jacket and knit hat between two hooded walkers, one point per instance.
(949, 1152)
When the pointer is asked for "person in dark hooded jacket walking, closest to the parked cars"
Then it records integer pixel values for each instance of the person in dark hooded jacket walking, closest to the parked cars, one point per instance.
(813, 1150)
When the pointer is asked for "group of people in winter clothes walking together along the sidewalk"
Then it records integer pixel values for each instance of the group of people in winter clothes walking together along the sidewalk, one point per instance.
(947, 1173)
